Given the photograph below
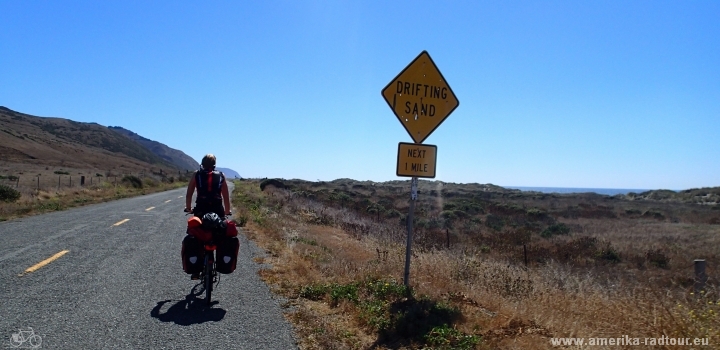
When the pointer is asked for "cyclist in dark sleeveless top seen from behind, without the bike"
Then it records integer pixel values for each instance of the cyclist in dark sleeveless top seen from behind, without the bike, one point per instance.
(212, 190)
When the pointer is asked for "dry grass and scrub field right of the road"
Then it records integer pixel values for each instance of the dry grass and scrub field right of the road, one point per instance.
(491, 268)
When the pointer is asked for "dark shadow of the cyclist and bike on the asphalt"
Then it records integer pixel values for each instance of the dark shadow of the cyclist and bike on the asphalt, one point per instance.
(189, 311)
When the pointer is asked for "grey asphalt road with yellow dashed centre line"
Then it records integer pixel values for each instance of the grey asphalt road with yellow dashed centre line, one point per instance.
(123, 286)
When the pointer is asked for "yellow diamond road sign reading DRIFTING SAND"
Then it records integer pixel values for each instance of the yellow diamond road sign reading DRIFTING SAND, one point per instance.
(420, 97)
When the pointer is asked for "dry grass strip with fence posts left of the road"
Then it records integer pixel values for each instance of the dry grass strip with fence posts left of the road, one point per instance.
(23, 194)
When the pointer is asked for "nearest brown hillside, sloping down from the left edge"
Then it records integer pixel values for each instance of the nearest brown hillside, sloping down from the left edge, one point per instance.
(33, 140)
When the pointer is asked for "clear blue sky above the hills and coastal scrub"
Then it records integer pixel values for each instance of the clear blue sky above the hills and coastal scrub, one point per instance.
(603, 94)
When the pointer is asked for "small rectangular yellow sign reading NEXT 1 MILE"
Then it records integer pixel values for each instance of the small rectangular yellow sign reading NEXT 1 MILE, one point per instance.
(416, 160)
